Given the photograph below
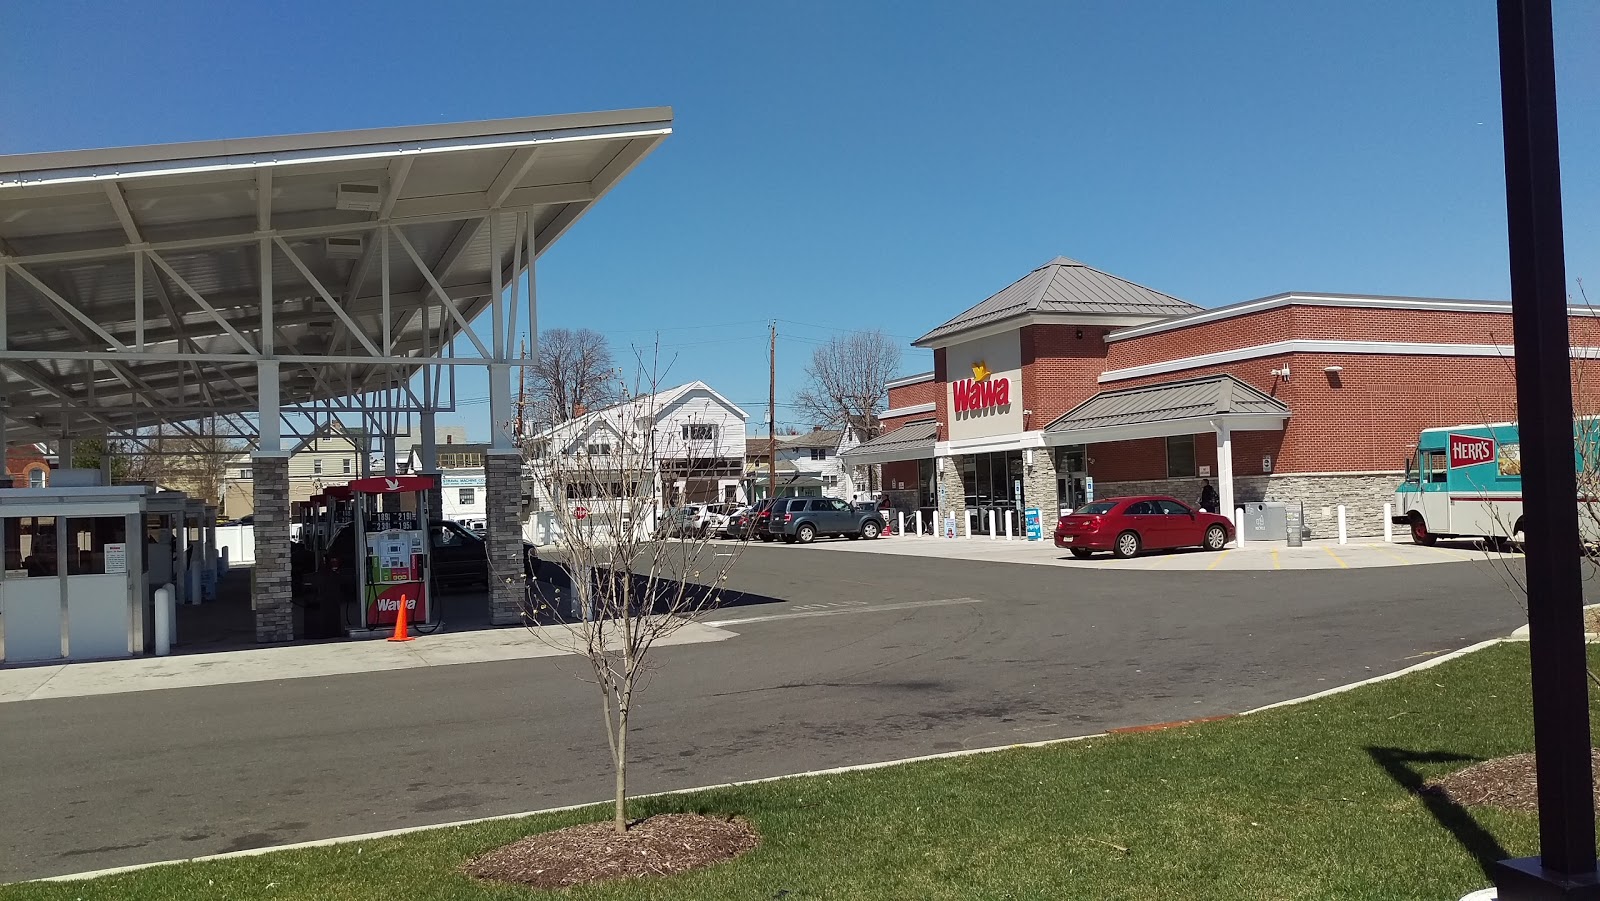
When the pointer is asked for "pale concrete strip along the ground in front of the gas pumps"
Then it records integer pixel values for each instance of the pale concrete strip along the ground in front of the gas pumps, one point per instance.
(303, 662)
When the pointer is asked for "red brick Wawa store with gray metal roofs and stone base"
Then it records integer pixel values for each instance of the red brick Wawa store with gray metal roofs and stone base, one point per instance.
(1073, 383)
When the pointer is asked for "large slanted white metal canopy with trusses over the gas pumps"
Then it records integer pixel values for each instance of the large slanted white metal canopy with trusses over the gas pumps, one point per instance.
(167, 284)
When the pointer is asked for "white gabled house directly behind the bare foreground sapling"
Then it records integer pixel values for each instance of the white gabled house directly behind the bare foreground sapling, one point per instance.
(686, 442)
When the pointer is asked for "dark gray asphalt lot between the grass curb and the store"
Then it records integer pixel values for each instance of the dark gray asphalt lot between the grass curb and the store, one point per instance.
(834, 660)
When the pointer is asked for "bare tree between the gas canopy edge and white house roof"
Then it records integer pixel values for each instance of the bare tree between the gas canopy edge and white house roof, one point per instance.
(574, 370)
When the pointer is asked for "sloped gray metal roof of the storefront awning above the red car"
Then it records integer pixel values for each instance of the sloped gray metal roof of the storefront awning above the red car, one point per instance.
(1190, 399)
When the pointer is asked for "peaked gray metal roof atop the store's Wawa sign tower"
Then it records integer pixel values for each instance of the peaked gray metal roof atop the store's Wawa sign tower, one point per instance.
(1065, 287)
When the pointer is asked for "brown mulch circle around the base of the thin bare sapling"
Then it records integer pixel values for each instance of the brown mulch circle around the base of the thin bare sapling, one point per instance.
(580, 855)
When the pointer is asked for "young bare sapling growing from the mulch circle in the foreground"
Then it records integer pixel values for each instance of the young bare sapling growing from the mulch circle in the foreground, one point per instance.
(636, 579)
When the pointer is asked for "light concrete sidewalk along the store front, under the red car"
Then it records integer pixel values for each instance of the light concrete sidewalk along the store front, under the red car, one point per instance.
(1361, 553)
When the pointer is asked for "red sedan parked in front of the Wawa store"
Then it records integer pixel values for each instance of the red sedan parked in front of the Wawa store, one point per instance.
(1129, 526)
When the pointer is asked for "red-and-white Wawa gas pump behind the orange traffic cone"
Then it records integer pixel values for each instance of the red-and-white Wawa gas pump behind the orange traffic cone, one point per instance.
(396, 559)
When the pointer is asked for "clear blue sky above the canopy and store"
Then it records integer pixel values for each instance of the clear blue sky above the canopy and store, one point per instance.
(886, 166)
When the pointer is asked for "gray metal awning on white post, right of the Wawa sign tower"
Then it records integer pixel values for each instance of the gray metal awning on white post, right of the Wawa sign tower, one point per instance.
(1169, 409)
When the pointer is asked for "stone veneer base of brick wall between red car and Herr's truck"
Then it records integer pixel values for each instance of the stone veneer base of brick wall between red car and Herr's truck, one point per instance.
(1362, 494)
